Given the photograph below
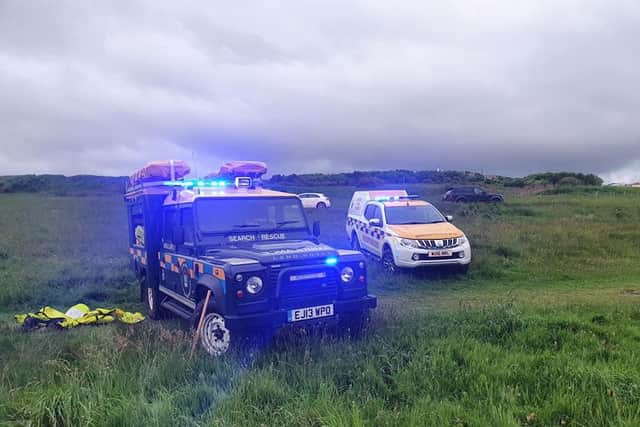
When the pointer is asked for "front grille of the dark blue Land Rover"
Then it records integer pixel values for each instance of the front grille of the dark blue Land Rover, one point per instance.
(308, 290)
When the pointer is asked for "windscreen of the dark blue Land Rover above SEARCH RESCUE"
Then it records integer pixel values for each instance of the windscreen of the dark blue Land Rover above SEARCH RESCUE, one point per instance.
(247, 214)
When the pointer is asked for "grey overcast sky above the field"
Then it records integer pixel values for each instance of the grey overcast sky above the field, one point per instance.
(508, 87)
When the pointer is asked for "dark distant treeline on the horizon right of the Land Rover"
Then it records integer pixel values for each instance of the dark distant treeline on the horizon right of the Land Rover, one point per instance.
(401, 176)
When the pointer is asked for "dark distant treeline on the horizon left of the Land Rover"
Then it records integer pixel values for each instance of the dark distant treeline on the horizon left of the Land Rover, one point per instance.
(61, 185)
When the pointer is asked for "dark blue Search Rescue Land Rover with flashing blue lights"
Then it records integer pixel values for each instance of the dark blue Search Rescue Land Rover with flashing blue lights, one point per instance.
(253, 248)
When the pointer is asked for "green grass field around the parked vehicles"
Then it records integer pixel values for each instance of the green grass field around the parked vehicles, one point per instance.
(543, 330)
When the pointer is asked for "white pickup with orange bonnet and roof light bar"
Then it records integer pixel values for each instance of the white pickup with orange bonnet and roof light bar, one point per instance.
(403, 231)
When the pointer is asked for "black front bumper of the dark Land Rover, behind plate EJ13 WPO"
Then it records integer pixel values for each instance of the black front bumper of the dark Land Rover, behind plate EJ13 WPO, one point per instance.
(277, 318)
